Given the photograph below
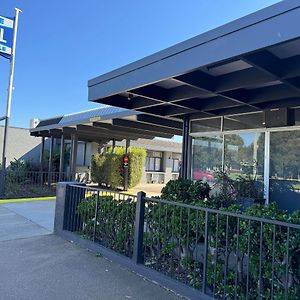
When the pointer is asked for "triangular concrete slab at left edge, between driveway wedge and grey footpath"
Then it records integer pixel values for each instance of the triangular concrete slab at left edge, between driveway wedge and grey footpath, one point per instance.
(14, 226)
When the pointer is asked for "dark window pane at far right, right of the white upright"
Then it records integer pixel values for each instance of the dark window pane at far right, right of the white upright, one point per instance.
(285, 169)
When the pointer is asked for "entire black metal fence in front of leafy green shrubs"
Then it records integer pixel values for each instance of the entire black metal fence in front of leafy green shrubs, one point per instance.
(223, 254)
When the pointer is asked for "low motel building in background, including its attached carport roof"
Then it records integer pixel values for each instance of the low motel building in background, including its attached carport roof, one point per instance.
(86, 133)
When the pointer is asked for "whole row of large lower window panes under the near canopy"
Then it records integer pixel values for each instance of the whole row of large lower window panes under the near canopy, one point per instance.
(241, 153)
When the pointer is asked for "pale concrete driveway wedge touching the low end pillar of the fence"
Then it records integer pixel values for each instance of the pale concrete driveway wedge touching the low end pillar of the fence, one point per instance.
(39, 212)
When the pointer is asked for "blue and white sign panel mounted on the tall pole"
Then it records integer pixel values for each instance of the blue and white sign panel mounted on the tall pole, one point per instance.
(6, 36)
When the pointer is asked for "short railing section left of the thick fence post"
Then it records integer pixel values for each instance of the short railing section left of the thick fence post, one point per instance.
(104, 216)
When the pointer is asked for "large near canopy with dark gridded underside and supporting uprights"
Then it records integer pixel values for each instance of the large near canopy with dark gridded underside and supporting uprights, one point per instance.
(243, 76)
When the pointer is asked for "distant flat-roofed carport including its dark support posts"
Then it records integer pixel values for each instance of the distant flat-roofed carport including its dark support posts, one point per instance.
(99, 125)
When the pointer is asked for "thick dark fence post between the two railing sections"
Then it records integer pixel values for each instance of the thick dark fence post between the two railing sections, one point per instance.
(138, 256)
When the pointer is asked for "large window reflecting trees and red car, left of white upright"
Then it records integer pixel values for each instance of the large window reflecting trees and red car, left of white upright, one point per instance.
(238, 154)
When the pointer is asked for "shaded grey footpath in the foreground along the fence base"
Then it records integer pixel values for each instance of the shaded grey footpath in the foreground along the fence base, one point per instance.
(48, 267)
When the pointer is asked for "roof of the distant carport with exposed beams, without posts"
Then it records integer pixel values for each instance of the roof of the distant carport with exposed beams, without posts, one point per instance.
(103, 125)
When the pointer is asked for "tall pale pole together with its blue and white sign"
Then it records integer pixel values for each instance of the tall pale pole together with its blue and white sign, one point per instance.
(8, 41)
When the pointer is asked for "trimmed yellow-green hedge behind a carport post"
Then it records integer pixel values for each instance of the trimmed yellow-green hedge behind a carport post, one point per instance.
(108, 168)
